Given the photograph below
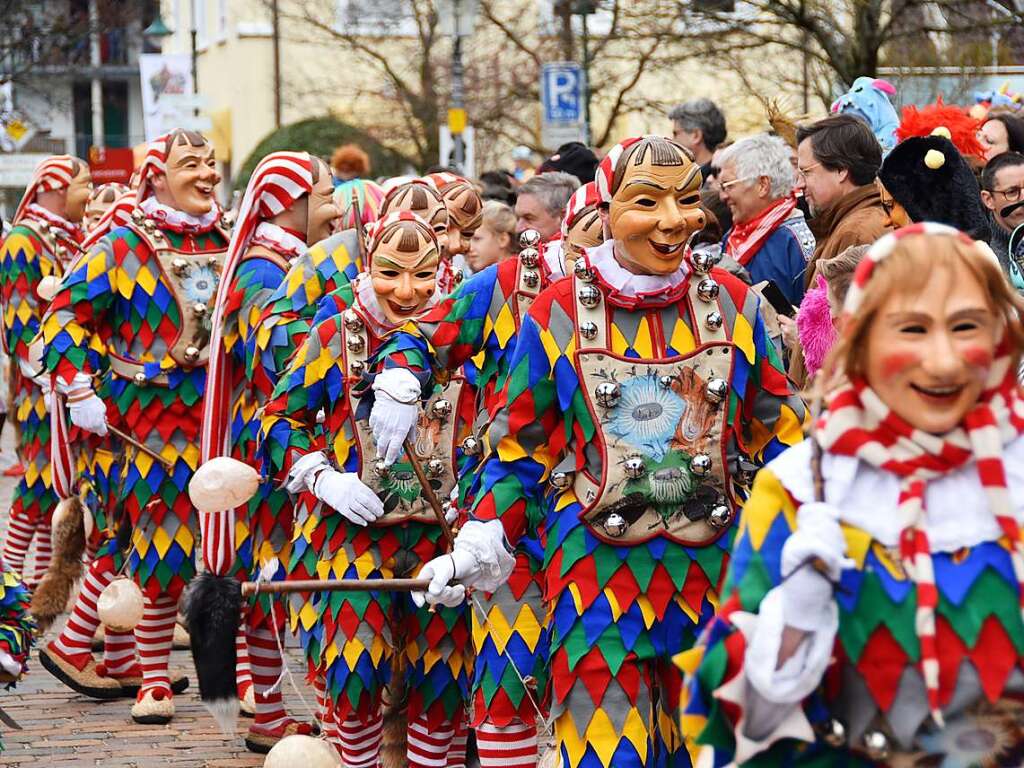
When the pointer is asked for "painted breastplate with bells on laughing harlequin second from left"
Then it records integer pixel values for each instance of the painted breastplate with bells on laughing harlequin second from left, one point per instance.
(193, 280)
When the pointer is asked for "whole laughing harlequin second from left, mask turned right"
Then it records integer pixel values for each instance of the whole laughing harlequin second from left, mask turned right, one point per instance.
(147, 292)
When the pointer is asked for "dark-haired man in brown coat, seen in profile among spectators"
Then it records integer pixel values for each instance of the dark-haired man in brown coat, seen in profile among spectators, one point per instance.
(837, 161)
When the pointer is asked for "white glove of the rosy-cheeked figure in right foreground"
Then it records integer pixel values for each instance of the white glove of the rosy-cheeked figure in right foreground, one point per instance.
(814, 559)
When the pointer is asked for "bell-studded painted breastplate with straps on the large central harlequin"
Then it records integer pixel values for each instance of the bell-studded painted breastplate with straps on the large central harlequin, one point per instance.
(660, 424)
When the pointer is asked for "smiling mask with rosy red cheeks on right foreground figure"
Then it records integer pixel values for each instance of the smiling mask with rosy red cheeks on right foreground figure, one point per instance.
(929, 354)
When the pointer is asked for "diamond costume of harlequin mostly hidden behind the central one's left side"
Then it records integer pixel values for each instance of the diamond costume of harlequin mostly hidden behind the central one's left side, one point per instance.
(475, 329)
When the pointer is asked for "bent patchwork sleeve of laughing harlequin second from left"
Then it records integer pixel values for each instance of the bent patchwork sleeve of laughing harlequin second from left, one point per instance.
(77, 313)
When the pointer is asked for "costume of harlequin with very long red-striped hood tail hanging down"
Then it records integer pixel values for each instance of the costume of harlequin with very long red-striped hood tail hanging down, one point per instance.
(255, 542)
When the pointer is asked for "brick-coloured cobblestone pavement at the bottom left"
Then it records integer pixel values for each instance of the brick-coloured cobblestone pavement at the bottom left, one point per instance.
(63, 729)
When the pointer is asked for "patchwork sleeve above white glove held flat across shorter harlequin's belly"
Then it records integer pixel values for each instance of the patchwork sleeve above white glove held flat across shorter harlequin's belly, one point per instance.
(315, 379)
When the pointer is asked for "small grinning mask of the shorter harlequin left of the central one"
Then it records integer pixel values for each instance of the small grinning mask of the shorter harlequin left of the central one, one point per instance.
(404, 271)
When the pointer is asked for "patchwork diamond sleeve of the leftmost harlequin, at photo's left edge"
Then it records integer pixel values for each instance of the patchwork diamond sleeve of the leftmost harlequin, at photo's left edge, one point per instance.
(22, 267)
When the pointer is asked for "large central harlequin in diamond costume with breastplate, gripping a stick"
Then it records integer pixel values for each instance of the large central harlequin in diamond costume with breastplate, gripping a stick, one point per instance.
(642, 402)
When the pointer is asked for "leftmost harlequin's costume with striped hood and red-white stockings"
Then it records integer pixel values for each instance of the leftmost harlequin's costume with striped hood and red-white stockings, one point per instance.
(39, 246)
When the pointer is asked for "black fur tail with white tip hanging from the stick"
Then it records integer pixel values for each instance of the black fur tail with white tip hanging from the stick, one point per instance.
(214, 611)
